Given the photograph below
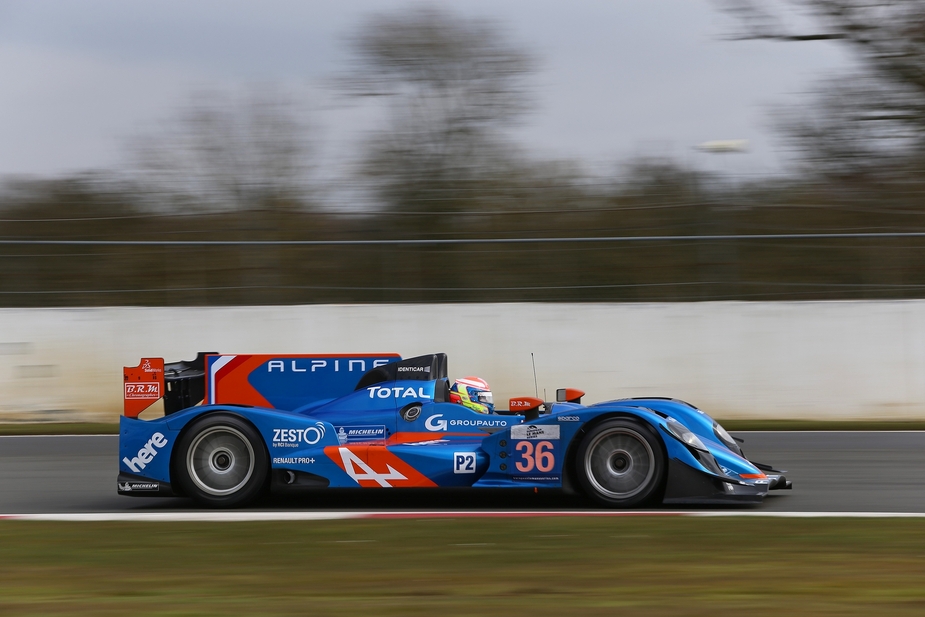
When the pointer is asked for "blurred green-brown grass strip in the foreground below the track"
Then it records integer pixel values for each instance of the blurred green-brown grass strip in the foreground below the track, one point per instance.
(536, 567)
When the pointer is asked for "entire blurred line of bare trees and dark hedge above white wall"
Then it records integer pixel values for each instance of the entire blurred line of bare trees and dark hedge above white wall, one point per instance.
(444, 167)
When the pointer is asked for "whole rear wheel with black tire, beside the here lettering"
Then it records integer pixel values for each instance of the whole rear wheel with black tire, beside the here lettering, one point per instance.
(222, 462)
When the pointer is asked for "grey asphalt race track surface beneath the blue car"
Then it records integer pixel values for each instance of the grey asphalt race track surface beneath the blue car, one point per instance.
(832, 471)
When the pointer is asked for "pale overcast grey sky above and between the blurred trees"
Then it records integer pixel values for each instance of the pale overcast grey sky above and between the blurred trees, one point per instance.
(617, 78)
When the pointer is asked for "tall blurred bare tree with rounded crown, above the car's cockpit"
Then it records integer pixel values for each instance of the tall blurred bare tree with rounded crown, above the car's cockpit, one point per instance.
(452, 85)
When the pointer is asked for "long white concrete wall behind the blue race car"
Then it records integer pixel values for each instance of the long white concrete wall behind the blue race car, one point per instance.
(813, 360)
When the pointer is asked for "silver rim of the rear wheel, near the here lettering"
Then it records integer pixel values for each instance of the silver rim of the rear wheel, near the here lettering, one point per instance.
(220, 461)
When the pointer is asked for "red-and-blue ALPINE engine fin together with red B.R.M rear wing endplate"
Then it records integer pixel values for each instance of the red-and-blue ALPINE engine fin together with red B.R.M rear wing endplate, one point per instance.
(280, 381)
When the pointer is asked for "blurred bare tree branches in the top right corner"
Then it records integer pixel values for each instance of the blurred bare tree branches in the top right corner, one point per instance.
(862, 121)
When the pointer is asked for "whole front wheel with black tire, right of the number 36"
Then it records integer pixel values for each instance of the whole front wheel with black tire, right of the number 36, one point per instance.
(621, 463)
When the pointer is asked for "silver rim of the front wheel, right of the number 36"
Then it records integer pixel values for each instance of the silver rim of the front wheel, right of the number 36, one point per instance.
(619, 463)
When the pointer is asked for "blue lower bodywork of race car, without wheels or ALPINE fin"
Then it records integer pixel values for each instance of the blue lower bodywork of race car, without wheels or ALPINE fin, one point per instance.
(399, 433)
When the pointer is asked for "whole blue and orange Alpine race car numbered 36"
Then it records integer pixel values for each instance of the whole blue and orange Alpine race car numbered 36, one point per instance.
(236, 426)
